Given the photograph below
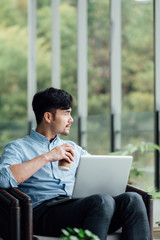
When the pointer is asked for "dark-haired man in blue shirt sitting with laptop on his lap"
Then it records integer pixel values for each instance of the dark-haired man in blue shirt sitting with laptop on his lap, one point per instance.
(31, 163)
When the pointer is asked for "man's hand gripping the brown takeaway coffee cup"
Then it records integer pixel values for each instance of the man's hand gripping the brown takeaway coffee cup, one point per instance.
(64, 151)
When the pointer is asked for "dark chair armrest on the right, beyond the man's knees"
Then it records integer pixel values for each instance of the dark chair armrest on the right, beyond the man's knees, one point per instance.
(147, 198)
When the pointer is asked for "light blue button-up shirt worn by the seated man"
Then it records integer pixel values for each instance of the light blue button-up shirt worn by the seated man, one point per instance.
(48, 182)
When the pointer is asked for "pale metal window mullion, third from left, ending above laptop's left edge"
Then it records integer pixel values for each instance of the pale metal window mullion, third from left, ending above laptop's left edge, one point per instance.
(82, 72)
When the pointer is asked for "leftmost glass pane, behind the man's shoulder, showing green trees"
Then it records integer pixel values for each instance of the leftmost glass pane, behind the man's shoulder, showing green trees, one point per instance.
(13, 70)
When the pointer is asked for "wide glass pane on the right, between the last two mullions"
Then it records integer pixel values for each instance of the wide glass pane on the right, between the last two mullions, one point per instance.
(138, 85)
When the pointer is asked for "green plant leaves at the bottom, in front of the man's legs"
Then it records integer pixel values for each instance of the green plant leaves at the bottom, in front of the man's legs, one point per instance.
(76, 234)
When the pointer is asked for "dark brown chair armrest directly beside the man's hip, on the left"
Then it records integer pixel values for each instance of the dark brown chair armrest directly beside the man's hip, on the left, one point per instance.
(26, 213)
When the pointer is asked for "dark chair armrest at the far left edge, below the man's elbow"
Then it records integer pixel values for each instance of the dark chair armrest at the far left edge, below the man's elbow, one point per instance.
(10, 216)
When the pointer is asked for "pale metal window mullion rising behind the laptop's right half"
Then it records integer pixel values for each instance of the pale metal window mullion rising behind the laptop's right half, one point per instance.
(115, 69)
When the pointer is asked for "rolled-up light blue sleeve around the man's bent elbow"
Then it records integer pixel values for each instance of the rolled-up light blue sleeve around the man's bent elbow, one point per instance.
(10, 156)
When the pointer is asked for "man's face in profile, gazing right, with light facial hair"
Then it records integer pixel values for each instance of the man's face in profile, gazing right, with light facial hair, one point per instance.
(62, 121)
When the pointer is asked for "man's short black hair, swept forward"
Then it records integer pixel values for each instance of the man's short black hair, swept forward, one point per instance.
(49, 99)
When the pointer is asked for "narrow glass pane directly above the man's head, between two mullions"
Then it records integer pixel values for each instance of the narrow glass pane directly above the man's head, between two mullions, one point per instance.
(43, 44)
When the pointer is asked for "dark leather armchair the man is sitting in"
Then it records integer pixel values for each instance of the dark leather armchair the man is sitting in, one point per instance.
(27, 222)
